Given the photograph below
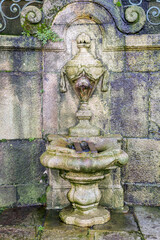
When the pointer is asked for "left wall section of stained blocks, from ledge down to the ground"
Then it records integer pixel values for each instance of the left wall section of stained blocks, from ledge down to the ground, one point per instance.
(21, 142)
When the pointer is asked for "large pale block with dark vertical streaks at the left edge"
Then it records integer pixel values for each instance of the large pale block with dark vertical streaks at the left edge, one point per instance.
(20, 105)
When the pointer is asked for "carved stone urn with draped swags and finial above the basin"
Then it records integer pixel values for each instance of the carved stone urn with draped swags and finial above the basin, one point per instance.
(84, 72)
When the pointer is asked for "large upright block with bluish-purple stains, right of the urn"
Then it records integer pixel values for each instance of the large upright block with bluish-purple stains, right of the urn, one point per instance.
(129, 104)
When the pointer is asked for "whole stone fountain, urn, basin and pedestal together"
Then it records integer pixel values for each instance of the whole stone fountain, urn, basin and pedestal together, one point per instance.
(86, 154)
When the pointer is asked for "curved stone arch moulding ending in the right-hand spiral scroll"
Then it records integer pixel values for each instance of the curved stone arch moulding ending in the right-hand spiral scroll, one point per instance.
(93, 10)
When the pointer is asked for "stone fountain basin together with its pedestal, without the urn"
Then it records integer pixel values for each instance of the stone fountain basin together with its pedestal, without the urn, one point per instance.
(84, 171)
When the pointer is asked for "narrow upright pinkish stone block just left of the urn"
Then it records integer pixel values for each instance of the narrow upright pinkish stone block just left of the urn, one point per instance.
(50, 103)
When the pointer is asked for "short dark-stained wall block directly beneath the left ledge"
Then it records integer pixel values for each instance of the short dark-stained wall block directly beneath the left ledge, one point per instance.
(23, 61)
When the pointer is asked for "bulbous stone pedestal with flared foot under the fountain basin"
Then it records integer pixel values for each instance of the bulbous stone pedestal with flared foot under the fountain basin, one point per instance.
(84, 196)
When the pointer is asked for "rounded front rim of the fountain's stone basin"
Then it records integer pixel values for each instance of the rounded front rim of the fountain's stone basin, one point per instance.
(85, 164)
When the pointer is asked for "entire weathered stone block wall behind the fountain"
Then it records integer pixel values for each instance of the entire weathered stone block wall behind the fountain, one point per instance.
(31, 106)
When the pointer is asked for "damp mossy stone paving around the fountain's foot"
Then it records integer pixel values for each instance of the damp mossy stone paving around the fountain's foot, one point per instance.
(35, 223)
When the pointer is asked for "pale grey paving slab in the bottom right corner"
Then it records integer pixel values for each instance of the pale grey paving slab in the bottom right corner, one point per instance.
(149, 221)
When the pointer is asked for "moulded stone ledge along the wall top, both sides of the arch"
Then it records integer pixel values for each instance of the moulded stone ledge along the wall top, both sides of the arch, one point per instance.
(131, 42)
